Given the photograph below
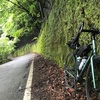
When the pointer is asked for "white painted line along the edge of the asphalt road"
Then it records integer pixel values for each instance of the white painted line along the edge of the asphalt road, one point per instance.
(27, 93)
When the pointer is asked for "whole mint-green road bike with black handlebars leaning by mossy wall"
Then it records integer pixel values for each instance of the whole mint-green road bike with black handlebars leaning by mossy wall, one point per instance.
(83, 64)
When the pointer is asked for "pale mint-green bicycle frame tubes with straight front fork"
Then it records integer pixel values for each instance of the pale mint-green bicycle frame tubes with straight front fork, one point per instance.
(89, 59)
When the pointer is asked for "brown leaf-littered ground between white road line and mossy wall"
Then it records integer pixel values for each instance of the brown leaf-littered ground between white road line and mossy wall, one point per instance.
(48, 82)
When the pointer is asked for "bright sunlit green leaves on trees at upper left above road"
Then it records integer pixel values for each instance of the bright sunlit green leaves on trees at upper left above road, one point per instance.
(17, 19)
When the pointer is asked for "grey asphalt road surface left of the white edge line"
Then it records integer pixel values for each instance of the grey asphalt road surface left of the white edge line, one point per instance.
(13, 77)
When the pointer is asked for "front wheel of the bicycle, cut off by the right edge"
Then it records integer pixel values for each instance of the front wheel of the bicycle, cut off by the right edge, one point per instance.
(91, 93)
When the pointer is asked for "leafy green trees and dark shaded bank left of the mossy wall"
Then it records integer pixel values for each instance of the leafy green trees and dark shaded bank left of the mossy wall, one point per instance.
(20, 23)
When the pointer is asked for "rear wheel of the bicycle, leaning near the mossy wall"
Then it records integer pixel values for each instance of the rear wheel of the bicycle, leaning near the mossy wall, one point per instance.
(69, 70)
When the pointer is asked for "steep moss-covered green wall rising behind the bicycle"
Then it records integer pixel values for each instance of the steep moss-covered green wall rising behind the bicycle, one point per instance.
(62, 23)
